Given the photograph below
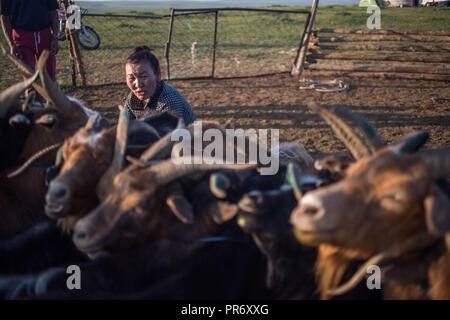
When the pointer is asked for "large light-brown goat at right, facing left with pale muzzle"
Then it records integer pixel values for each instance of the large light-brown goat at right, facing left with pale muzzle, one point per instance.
(379, 210)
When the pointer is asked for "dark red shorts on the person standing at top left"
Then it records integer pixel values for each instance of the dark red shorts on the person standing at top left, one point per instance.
(31, 44)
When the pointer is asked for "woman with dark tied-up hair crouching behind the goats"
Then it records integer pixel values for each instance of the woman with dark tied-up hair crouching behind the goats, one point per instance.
(150, 94)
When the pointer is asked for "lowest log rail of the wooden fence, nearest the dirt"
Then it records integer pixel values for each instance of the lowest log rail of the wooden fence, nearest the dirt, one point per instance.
(384, 75)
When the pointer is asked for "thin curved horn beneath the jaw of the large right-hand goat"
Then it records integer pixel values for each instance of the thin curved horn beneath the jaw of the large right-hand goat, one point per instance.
(415, 244)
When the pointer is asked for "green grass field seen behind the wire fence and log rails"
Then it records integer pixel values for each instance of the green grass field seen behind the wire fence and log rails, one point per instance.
(239, 34)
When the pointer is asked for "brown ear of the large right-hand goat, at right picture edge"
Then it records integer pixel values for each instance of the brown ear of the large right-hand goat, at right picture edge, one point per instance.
(437, 211)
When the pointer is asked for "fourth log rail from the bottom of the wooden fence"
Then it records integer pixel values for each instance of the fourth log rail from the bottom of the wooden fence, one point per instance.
(385, 47)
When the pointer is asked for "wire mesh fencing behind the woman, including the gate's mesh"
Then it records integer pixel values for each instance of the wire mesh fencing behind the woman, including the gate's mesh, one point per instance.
(216, 43)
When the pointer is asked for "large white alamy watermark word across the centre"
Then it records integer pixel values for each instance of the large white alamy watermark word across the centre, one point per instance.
(234, 146)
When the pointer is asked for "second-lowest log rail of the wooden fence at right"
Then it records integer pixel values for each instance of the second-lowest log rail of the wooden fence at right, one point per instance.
(377, 68)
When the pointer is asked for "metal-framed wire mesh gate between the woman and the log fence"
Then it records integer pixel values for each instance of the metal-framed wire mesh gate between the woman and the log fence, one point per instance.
(233, 42)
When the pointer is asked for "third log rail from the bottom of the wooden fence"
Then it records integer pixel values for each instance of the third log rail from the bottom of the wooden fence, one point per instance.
(376, 57)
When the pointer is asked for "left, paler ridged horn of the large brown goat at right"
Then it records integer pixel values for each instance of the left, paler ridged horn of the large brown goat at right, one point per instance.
(342, 131)
